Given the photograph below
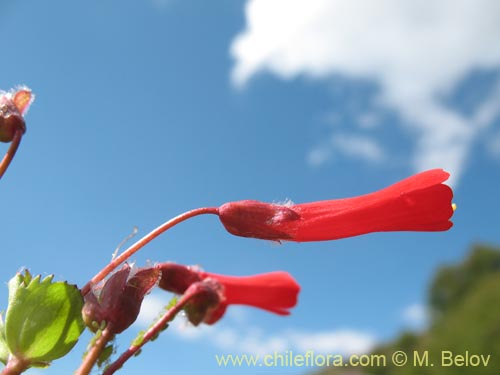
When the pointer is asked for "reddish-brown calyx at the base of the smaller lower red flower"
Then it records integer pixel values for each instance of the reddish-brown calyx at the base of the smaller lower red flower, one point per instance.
(176, 278)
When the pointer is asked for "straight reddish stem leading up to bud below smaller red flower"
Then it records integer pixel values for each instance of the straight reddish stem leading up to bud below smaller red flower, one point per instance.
(154, 330)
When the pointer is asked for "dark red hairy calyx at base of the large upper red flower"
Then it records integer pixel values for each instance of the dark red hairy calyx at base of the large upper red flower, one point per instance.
(257, 219)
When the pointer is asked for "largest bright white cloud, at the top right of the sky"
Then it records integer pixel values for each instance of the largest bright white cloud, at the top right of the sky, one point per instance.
(416, 51)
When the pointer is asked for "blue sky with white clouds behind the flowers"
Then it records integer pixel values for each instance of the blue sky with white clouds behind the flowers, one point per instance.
(148, 109)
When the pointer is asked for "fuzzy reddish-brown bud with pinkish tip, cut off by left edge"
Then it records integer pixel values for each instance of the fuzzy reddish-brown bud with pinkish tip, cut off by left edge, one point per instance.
(13, 105)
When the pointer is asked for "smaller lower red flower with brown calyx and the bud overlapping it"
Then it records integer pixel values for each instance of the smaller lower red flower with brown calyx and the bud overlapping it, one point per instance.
(275, 291)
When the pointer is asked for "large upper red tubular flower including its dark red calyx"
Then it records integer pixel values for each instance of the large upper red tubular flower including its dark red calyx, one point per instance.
(419, 203)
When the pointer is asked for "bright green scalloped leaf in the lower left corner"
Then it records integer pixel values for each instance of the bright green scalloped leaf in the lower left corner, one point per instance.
(43, 320)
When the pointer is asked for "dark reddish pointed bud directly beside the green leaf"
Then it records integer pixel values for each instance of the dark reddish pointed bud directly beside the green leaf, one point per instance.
(118, 302)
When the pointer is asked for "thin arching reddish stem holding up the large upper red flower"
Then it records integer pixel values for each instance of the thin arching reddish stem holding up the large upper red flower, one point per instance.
(144, 241)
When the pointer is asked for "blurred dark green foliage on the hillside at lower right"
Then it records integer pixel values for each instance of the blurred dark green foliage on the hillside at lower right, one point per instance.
(465, 300)
